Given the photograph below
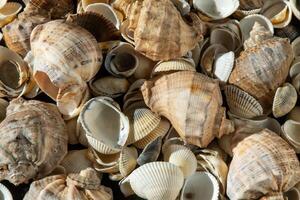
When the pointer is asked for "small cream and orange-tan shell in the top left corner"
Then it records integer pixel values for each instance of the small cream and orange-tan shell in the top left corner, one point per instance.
(9, 12)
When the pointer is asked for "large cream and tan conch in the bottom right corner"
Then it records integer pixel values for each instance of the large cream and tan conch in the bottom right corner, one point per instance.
(263, 164)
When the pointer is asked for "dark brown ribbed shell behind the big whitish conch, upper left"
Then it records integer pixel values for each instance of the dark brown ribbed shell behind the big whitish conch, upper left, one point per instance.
(105, 30)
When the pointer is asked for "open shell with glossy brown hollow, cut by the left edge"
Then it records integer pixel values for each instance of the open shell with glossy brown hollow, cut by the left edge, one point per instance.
(15, 78)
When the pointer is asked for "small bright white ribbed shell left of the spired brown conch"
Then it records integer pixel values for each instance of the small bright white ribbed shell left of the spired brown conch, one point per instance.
(223, 66)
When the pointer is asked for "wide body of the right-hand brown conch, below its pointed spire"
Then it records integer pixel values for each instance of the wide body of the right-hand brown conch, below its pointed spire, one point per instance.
(260, 70)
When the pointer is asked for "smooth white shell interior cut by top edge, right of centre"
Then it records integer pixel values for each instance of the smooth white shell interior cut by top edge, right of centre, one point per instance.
(216, 9)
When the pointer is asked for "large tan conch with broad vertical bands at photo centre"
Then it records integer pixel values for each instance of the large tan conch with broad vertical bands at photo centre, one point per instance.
(182, 92)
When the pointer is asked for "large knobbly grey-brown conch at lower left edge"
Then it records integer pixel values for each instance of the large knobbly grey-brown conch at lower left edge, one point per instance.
(33, 140)
